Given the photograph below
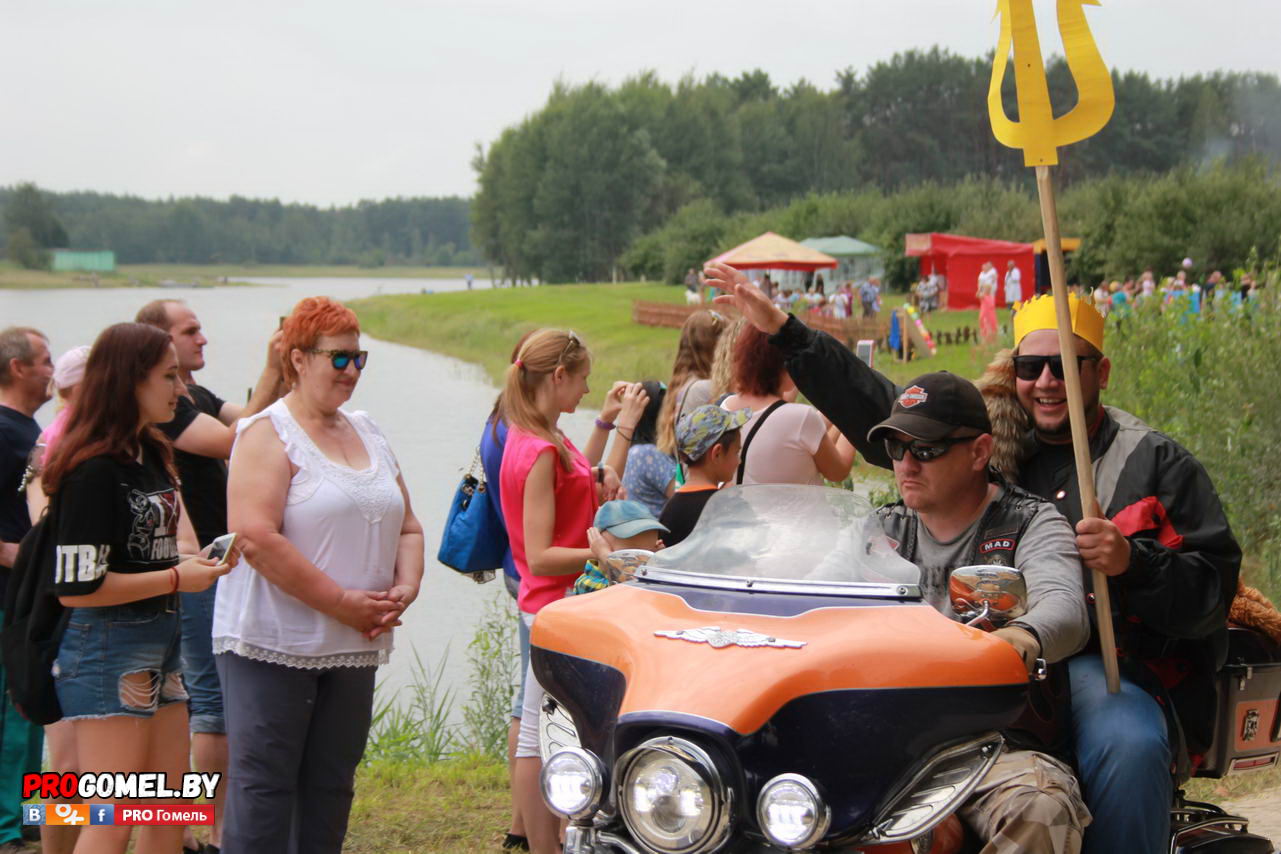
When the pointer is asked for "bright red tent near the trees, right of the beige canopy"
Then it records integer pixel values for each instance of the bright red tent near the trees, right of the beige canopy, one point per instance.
(961, 259)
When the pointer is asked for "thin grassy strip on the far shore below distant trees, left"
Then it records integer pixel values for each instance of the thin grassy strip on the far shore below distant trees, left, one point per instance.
(142, 276)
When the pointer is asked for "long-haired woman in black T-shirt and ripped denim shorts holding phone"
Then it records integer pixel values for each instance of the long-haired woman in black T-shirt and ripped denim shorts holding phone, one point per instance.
(120, 531)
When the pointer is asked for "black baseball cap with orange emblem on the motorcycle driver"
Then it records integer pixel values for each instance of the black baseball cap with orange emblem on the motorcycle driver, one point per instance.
(936, 407)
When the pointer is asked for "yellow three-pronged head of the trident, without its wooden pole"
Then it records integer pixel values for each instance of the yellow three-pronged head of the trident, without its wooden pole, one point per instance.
(1038, 133)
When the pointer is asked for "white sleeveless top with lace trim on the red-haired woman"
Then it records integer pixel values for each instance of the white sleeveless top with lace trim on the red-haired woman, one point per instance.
(348, 523)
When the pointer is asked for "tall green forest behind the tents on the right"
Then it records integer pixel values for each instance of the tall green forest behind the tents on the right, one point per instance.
(580, 190)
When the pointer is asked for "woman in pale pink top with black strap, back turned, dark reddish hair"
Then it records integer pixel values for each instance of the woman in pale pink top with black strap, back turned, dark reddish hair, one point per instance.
(795, 444)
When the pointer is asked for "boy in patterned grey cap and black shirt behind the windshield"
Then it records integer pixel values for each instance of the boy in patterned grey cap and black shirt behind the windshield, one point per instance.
(709, 444)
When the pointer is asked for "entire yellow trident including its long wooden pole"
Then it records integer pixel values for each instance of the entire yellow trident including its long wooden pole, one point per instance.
(1041, 135)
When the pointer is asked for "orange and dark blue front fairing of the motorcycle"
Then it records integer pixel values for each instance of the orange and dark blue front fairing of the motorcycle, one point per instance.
(878, 684)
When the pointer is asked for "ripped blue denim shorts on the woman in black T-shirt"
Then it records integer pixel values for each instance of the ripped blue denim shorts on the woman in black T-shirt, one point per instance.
(120, 660)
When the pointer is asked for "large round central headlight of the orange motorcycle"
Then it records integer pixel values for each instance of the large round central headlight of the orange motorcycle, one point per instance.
(672, 797)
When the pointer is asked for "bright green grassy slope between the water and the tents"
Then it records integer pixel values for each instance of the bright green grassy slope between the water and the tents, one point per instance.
(481, 327)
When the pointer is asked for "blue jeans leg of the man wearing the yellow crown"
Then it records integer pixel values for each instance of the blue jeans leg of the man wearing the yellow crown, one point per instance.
(1123, 757)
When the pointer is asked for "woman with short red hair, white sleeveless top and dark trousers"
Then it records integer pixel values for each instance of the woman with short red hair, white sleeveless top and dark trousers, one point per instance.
(334, 558)
